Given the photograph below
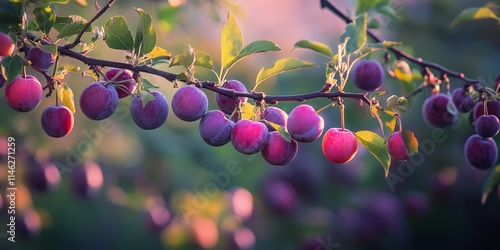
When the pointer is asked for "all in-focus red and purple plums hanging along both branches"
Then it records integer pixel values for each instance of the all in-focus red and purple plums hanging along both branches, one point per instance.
(99, 100)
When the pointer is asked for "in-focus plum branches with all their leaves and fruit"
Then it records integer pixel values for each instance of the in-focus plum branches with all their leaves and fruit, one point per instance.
(34, 35)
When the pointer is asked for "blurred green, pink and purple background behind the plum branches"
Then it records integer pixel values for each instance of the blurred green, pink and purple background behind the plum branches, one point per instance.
(167, 189)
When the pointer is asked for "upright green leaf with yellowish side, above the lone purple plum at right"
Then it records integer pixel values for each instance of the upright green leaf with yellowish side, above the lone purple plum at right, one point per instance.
(356, 32)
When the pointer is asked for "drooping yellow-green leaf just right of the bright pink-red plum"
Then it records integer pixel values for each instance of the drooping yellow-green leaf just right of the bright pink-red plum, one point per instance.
(376, 146)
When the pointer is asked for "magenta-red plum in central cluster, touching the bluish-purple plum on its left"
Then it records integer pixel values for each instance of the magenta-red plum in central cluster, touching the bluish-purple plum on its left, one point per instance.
(249, 137)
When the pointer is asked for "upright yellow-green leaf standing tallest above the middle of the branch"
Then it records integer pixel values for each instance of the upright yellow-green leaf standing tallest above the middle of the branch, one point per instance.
(231, 40)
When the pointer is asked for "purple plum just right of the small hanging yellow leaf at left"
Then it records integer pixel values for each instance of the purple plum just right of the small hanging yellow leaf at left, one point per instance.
(98, 101)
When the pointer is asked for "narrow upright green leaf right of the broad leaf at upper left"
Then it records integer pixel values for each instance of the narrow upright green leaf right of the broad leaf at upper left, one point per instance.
(145, 37)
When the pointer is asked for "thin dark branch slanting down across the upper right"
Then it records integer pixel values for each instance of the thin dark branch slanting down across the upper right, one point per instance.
(400, 54)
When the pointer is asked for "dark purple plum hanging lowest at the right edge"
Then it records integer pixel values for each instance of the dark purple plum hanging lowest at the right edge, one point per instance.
(481, 153)
